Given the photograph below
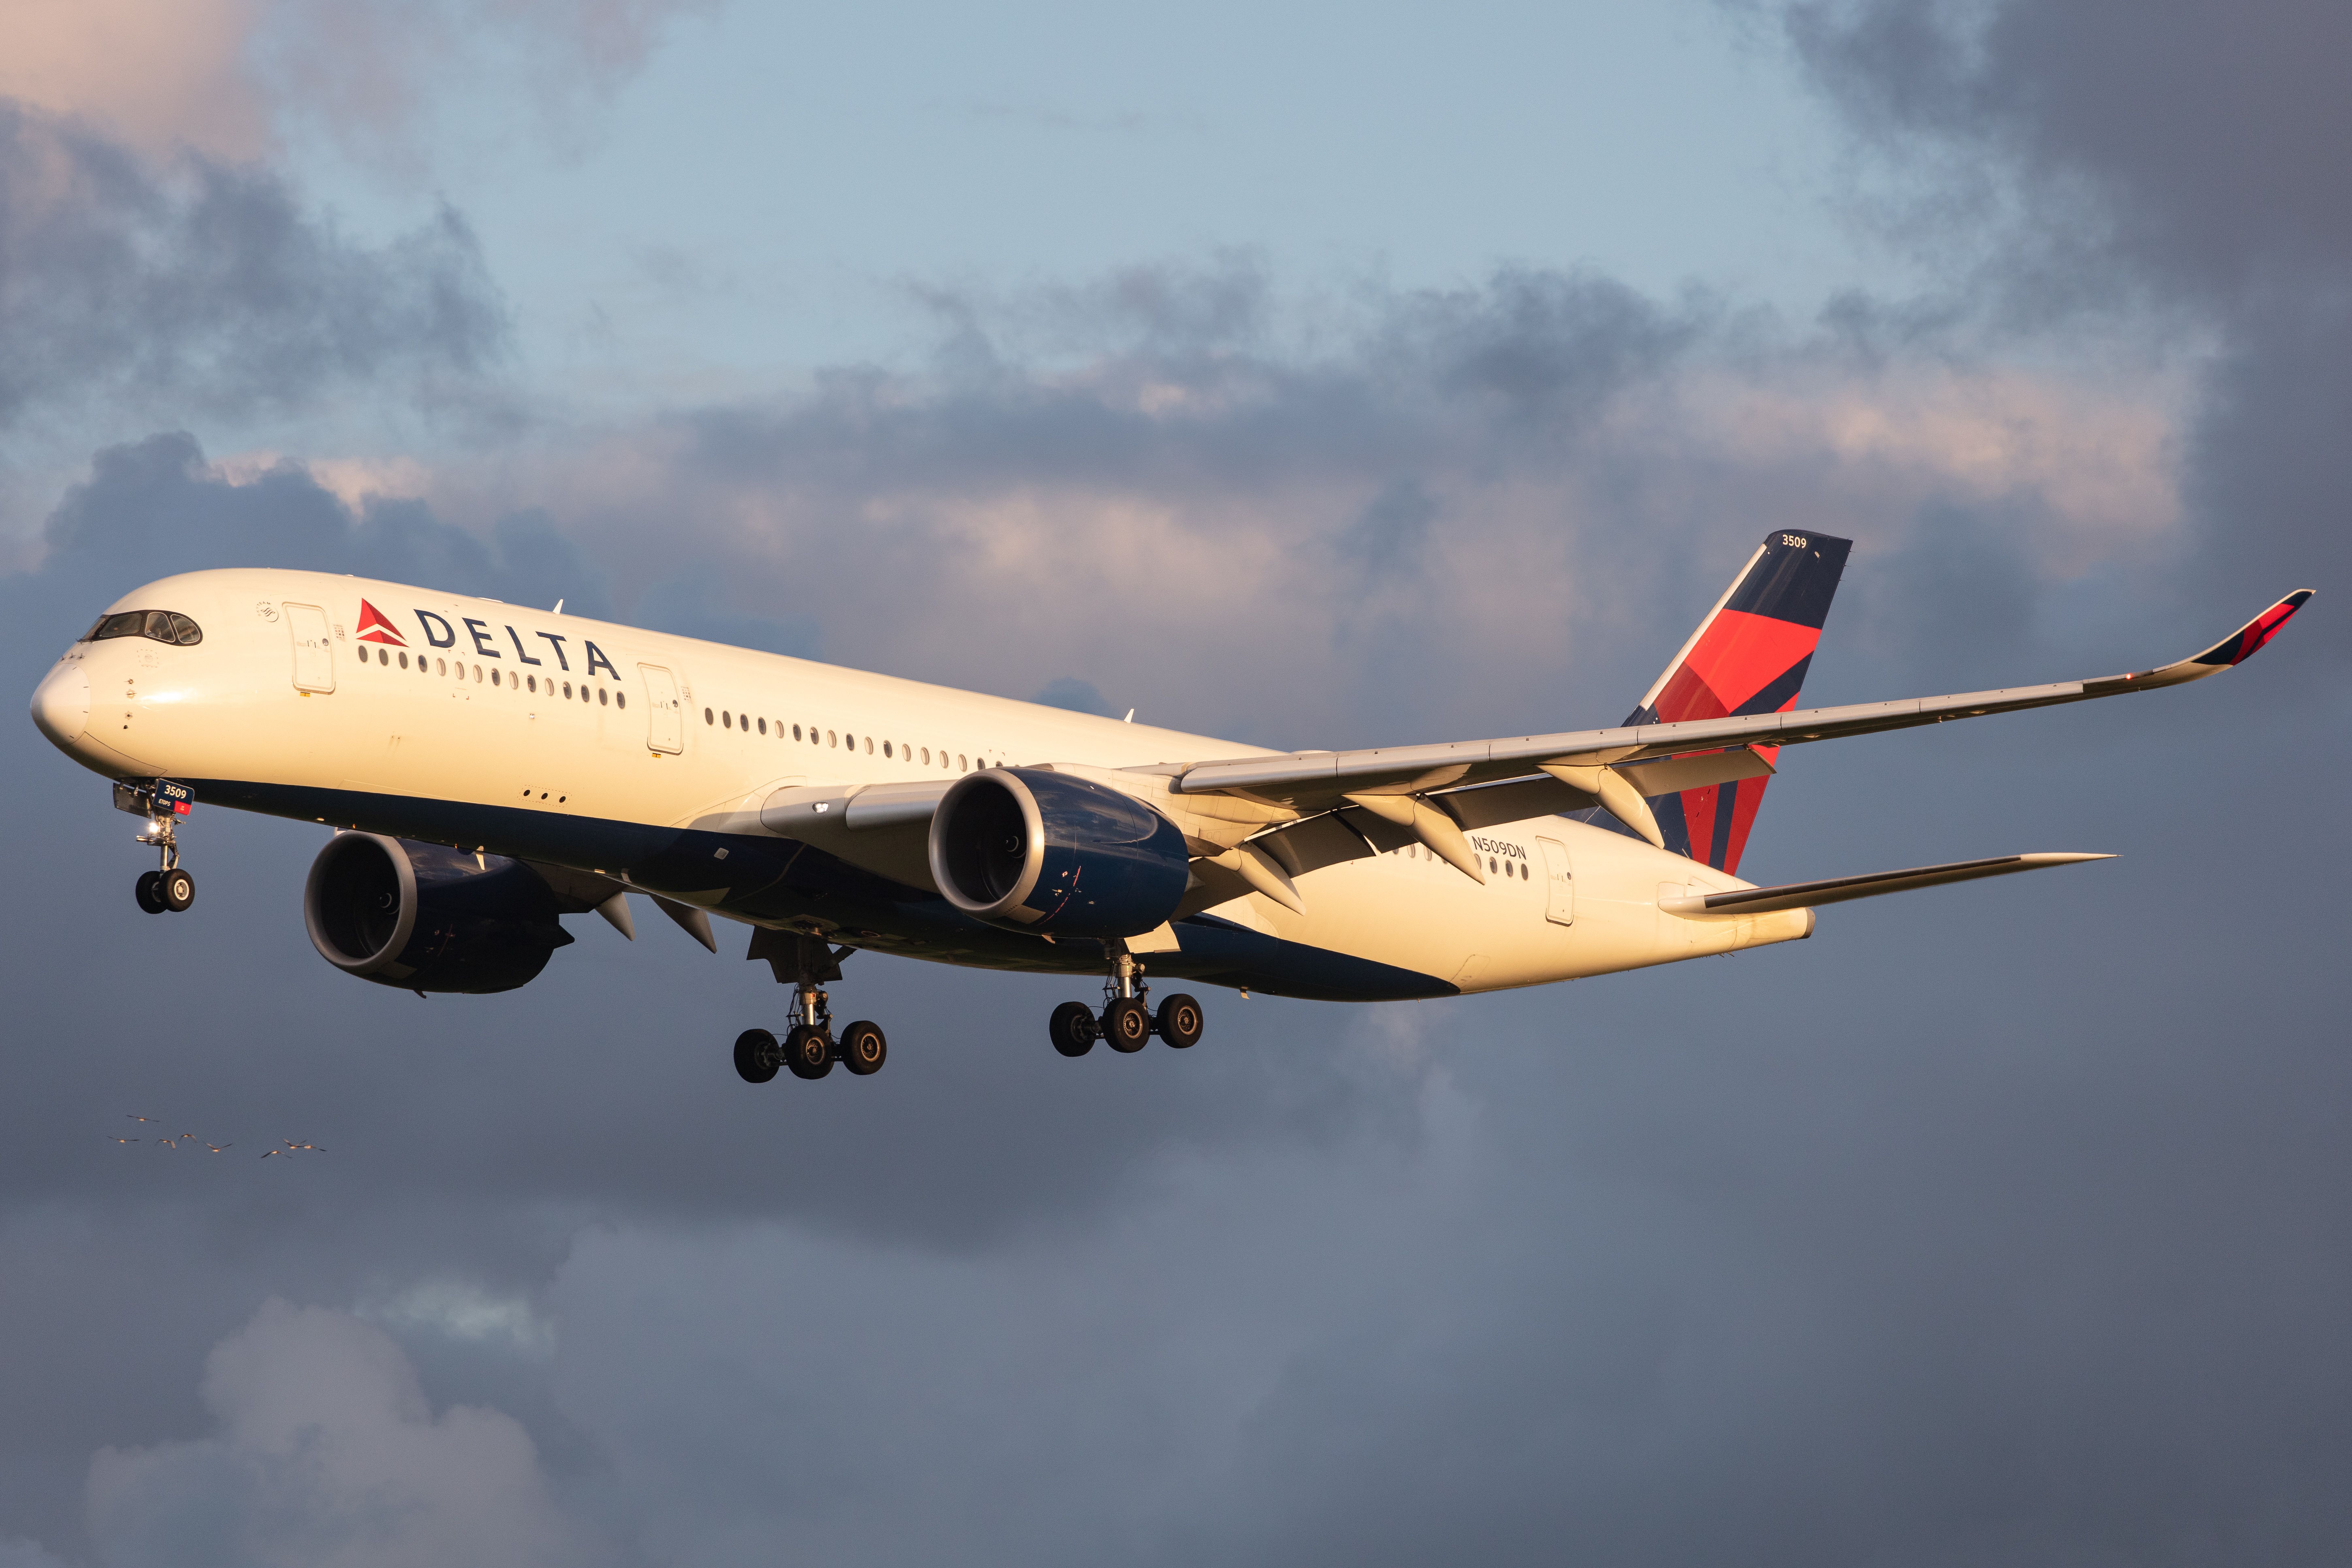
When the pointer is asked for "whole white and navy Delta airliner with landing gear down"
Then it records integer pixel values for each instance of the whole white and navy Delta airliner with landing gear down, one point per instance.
(493, 768)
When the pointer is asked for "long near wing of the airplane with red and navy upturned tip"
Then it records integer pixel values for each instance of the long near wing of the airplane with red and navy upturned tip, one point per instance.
(1323, 782)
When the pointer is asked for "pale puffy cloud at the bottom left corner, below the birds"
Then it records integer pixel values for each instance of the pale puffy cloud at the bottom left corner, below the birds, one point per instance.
(328, 1452)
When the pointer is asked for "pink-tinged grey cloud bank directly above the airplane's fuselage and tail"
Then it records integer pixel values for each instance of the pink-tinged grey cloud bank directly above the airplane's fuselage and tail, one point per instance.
(1417, 500)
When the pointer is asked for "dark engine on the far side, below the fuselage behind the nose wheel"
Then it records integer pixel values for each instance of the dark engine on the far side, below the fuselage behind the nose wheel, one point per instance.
(429, 918)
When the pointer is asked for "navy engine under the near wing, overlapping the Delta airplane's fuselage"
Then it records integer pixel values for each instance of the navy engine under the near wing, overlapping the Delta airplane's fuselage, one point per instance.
(1055, 855)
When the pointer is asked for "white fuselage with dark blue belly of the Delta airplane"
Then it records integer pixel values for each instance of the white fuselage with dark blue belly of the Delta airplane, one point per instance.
(613, 749)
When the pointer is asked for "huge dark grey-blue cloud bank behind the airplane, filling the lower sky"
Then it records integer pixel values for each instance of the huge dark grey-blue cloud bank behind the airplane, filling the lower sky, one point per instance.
(1989, 1226)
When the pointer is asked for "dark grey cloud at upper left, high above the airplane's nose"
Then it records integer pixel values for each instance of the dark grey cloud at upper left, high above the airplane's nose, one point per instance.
(208, 288)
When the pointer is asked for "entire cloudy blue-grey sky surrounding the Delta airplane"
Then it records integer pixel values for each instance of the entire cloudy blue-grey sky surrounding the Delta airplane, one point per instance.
(1339, 375)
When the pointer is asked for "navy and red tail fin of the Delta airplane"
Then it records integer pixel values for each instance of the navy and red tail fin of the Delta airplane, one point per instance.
(1746, 657)
